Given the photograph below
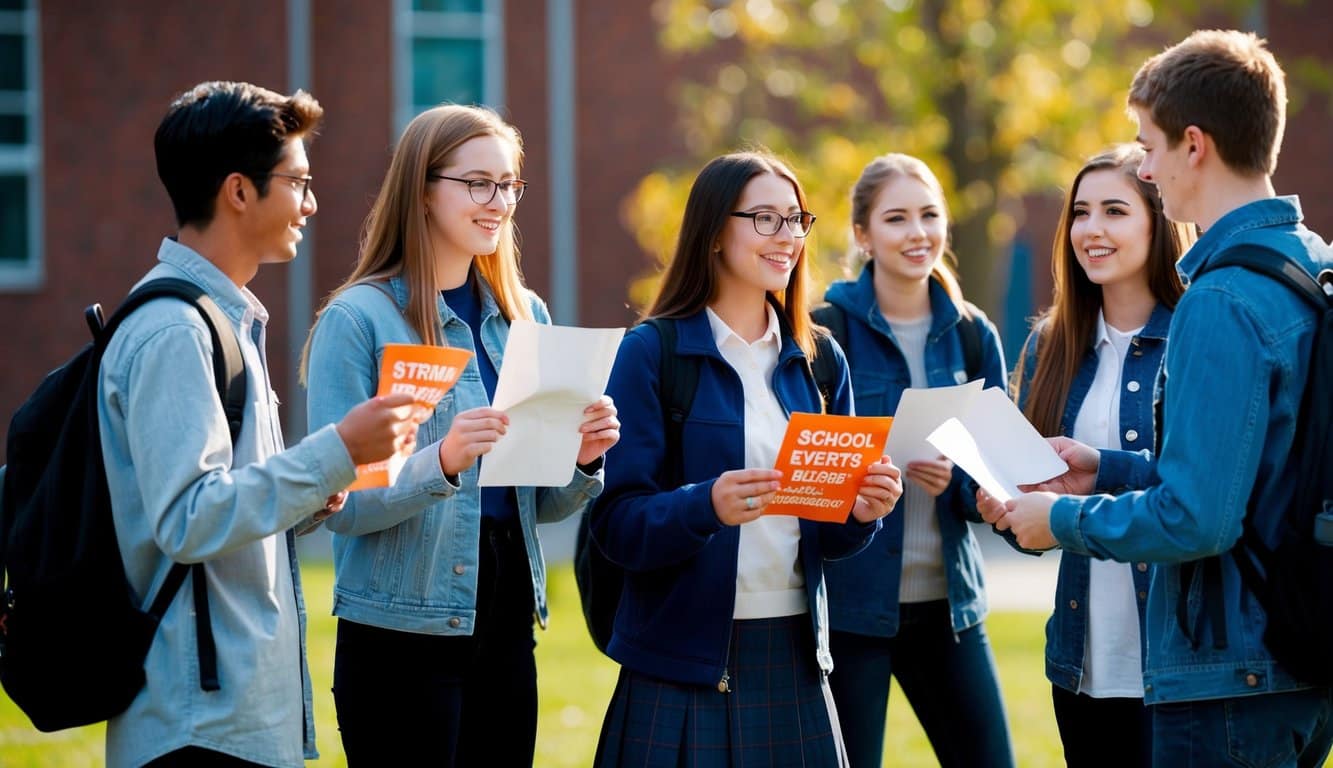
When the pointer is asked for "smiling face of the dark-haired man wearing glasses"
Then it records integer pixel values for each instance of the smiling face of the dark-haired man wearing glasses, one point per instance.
(279, 217)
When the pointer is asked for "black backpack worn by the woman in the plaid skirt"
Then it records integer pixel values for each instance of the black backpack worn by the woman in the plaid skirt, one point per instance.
(601, 581)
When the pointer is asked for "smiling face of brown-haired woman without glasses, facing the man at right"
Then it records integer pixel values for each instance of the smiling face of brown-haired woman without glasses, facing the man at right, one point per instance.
(1111, 229)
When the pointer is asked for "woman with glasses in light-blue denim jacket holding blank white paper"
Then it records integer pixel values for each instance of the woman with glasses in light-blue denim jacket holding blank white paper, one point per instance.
(438, 581)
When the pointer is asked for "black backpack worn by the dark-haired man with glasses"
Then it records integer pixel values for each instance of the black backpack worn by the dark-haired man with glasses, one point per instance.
(73, 634)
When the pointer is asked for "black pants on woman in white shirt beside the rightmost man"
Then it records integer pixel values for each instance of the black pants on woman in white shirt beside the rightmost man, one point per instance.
(1103, 731)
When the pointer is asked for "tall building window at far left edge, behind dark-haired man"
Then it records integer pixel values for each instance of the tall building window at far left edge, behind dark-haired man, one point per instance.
(21, 147)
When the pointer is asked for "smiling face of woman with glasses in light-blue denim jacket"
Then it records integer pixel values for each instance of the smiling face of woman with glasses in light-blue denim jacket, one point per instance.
(459, 227)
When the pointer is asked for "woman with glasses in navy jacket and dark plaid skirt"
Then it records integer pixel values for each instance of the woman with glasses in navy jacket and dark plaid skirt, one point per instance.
(722, 635)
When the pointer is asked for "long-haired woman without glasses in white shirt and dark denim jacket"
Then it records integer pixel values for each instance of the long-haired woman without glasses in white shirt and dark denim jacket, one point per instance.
(1087, 371)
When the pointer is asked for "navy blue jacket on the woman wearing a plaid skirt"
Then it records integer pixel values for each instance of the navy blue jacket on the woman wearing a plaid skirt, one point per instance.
(675, 615)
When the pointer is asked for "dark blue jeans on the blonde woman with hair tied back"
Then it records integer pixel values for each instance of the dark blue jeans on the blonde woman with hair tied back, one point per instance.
(948, 679)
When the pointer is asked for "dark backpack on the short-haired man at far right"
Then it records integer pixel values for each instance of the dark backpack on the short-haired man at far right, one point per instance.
(1294, 581)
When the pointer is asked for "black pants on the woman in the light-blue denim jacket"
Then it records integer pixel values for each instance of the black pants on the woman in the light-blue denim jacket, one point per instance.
(442, 701)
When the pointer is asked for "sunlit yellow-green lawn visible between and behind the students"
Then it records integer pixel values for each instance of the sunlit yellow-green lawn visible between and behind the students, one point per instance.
(577, 683)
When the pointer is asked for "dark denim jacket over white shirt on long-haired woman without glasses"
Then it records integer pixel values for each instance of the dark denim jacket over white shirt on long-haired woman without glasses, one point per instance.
(1068, 626)
